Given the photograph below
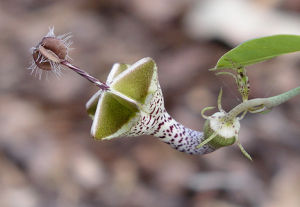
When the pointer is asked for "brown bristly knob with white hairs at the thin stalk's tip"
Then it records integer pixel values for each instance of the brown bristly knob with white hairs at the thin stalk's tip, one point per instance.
(49, 53)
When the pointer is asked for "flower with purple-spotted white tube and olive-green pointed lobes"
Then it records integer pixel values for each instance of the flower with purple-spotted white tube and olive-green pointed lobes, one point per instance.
(134, 106)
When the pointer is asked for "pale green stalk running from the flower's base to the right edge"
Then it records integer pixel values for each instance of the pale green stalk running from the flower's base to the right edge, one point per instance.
(266, 103)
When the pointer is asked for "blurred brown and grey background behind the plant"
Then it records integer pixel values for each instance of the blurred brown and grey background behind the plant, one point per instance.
(47, 157)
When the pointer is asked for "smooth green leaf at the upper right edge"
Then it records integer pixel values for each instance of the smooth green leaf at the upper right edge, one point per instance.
(258, 50)
